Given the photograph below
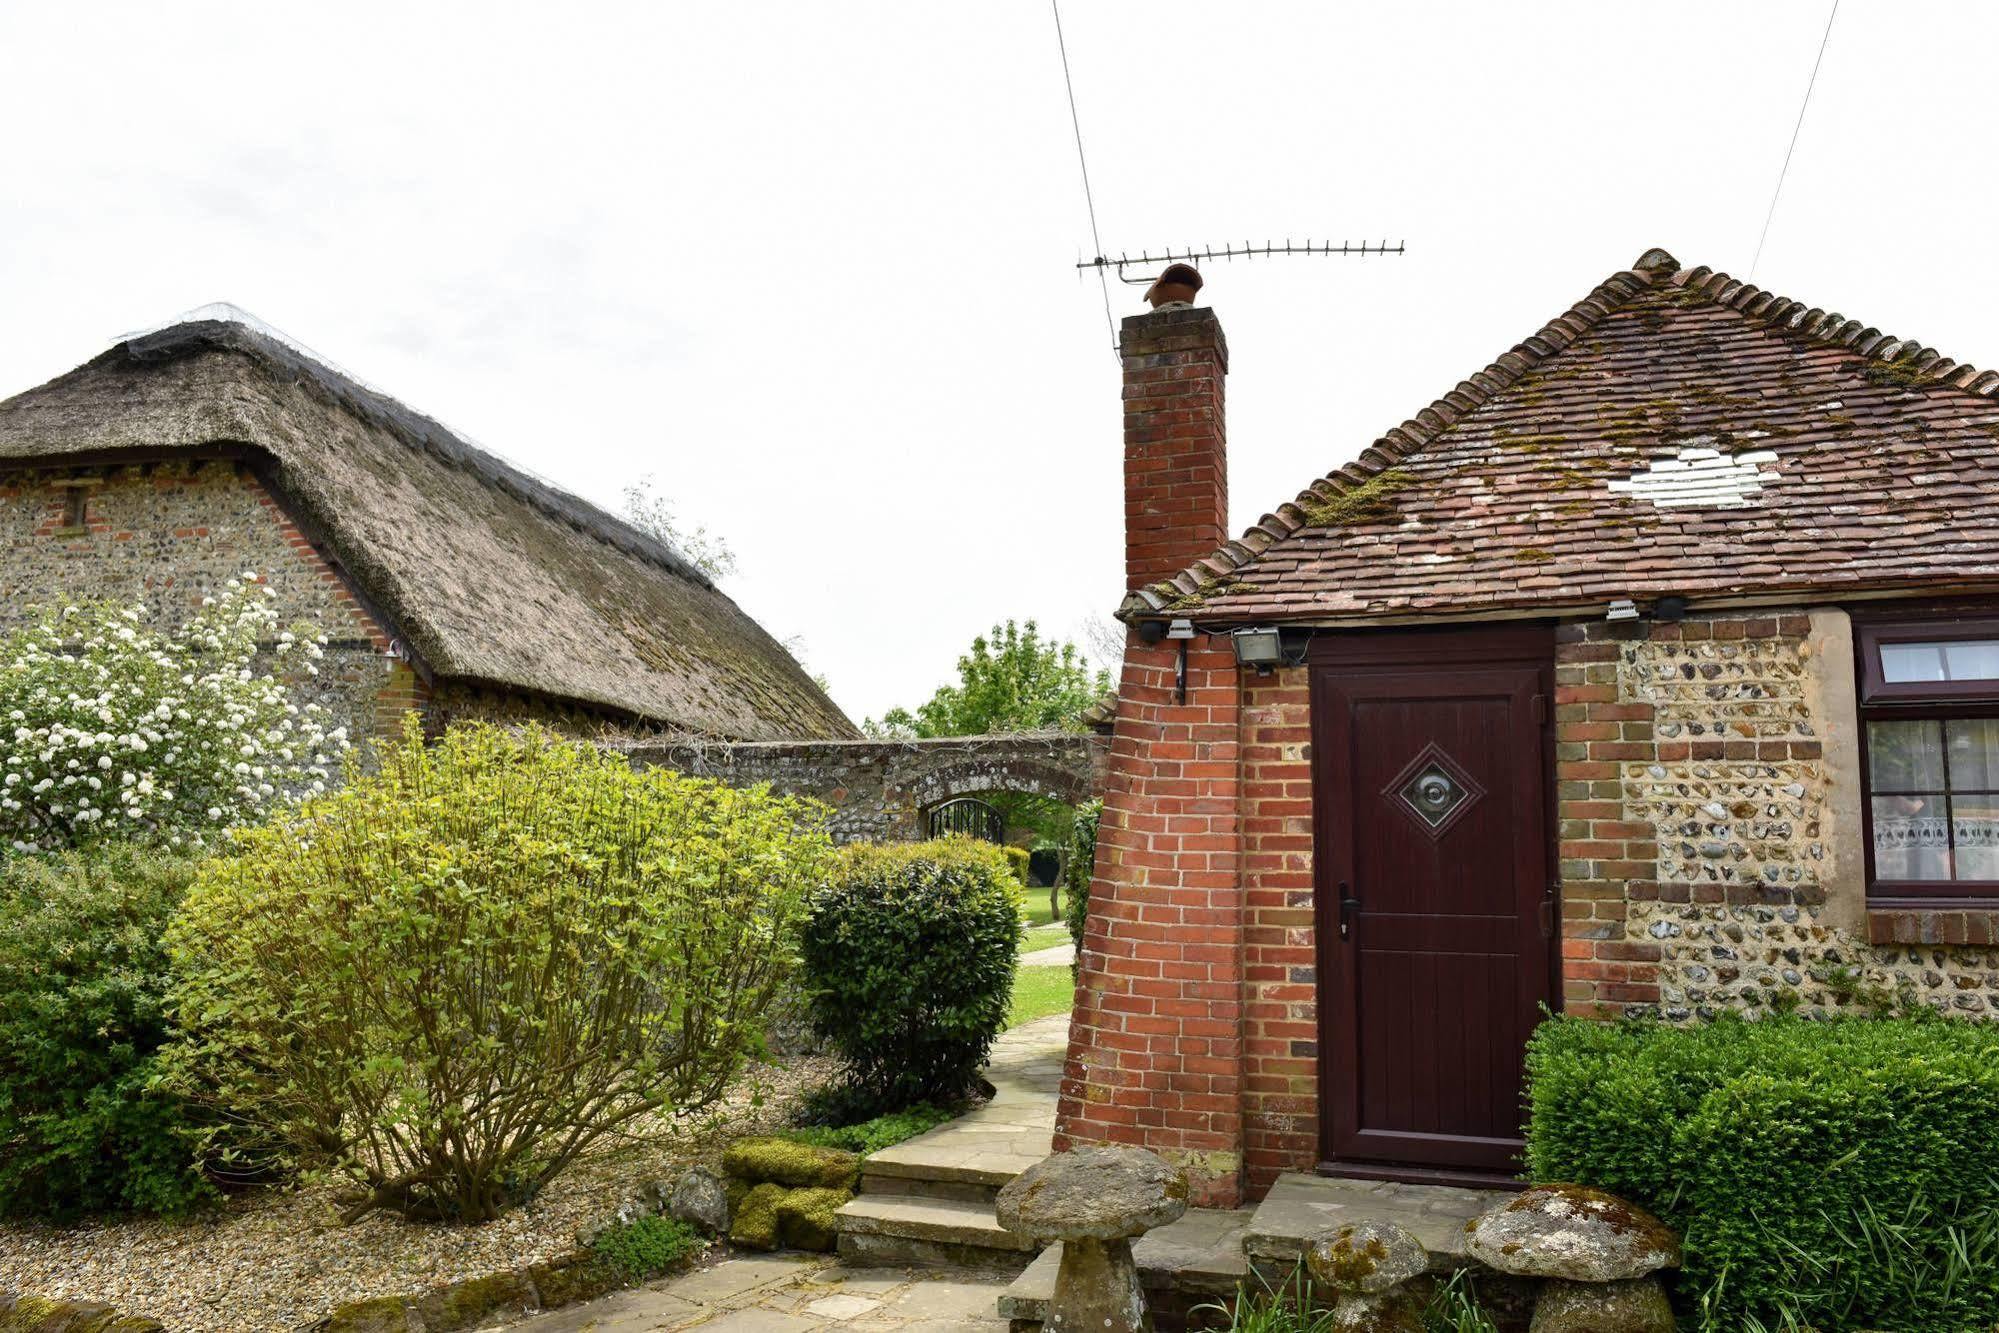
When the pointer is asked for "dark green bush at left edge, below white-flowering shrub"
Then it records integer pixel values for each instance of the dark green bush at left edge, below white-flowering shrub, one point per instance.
(83, 1012)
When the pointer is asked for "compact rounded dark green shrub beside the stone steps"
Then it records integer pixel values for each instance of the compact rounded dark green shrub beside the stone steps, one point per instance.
(911, 956)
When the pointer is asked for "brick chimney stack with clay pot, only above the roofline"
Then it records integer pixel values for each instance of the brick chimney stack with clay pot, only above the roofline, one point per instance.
(1176, 455)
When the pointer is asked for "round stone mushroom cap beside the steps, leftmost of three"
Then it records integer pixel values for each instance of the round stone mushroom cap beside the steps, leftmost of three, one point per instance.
(1094, 1194)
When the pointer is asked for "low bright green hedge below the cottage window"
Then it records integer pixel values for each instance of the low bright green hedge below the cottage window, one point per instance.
(1834, 1174)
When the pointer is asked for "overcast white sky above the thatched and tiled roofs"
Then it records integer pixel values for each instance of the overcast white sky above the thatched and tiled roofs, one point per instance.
(811, 265)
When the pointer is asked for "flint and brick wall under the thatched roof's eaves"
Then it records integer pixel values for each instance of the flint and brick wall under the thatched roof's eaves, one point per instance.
(171, 535)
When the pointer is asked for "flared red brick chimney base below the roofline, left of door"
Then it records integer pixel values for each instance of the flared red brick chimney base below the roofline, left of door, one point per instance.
(1156, 1046)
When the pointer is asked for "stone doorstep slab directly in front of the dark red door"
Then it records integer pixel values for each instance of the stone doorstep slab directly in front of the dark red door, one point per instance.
(1302, 1206)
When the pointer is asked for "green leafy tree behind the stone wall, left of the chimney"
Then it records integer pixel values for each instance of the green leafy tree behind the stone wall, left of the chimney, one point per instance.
(1012, 680)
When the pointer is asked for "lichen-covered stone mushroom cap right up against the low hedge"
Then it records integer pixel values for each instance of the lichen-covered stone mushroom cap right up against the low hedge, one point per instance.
(1572, 1232)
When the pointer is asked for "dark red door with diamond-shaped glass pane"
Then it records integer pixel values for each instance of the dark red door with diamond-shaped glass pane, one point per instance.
(1434, 894)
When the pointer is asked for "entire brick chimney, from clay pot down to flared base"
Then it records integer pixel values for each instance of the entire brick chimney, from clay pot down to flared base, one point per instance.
(1156, 1036)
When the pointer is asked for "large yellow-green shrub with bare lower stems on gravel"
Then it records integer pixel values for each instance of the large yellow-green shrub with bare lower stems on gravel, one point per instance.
(459, 972)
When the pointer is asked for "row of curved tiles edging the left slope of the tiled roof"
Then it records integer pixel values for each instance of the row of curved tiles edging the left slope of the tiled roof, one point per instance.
(1406, 441)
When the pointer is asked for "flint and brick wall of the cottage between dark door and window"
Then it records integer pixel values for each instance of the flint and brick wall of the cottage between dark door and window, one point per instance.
(1712, 830)
